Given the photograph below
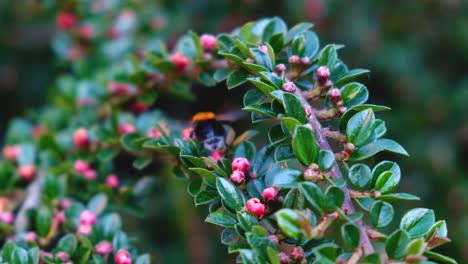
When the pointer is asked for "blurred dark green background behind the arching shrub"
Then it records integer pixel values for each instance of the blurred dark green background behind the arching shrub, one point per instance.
(417, 52)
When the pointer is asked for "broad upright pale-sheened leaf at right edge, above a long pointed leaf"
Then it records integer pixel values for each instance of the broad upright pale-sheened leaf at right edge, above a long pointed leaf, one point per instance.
(360, 127)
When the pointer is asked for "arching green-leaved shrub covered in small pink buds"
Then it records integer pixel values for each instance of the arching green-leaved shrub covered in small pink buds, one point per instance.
(311, 194)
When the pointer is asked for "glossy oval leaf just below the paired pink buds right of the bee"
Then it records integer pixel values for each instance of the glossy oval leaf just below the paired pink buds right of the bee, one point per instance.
(232, 197)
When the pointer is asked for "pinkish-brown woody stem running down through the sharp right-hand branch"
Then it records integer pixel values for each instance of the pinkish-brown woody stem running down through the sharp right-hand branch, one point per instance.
(348, 206)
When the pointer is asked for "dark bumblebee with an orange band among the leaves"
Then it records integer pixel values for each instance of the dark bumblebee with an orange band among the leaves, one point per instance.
(208, 131)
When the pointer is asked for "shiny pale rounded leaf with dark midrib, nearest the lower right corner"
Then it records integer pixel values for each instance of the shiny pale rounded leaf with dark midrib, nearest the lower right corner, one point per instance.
(418, 221)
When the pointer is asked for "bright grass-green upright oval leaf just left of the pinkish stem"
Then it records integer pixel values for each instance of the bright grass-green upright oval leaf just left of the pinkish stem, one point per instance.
(304, 145)
